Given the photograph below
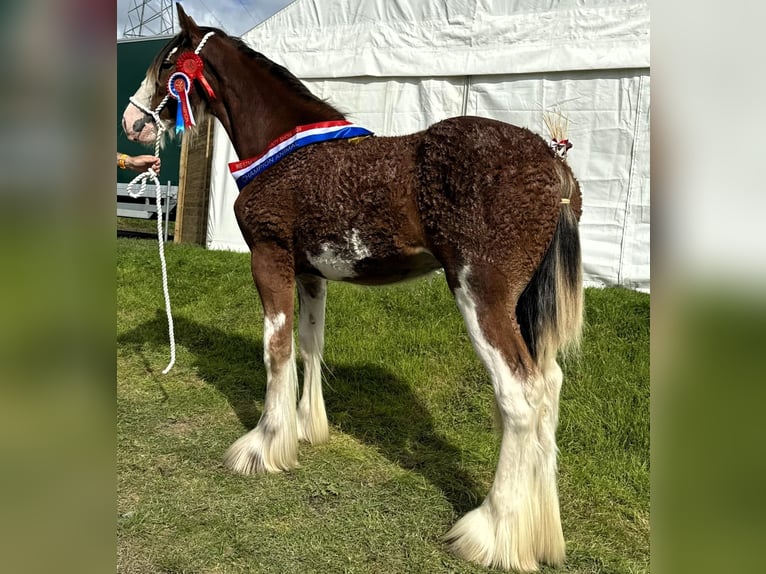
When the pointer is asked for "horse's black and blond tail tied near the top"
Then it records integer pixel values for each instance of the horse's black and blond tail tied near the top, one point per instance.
(550, 310)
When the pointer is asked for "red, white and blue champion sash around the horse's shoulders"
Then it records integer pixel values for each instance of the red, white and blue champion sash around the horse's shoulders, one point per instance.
(244, 171)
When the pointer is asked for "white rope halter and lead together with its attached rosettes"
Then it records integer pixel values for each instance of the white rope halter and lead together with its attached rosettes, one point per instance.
(190, 73)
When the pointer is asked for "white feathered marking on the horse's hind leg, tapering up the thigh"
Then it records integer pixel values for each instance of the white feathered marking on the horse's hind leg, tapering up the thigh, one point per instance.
(508, 530)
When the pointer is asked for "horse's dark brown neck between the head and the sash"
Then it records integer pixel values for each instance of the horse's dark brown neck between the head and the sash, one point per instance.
(255, 107)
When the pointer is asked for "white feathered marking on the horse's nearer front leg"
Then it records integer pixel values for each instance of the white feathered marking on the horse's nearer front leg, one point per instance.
(272, 445)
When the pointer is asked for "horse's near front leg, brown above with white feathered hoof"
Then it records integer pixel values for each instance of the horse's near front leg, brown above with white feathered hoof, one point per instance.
(272, 445)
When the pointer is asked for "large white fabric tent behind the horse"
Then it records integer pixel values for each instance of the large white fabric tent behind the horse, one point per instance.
(397, 66)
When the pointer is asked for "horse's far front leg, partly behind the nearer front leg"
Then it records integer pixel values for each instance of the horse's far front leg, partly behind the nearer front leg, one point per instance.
(312, 417)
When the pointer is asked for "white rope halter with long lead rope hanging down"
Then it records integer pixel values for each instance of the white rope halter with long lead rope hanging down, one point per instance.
(151, 174)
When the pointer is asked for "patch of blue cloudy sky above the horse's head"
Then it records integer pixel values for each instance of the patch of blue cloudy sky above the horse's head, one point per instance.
(235, 17)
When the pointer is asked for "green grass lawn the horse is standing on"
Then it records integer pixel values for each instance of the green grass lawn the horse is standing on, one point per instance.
(412, 442)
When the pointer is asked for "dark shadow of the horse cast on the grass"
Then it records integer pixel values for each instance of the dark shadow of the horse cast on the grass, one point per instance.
(367, 401)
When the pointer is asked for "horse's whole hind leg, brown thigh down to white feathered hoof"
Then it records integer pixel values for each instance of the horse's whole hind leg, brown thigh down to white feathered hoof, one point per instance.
(514, 527)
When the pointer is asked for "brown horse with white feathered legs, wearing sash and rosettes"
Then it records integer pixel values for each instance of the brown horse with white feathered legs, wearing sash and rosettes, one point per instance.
(489, 203)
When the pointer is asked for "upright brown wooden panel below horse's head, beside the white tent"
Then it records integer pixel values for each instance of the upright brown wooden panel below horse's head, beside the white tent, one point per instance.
(194, 186)
